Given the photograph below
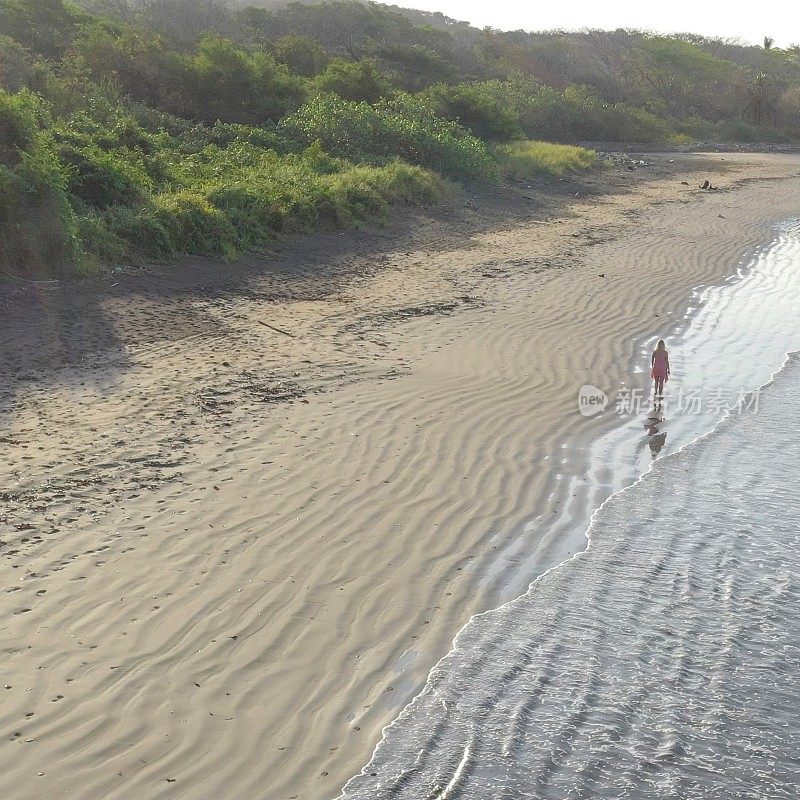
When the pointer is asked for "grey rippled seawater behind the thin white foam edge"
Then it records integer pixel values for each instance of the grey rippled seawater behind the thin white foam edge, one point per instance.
(662, 662)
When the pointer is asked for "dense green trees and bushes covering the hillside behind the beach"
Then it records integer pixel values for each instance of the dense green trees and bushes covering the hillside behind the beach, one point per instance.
(159, 127)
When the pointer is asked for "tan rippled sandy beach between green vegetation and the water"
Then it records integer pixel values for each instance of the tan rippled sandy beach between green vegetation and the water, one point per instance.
(246, 507)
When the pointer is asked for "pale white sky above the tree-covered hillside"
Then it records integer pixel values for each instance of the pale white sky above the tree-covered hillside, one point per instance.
(748, 21)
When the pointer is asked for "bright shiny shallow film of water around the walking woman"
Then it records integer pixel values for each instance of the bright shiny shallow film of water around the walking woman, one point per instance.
(731, 339)
